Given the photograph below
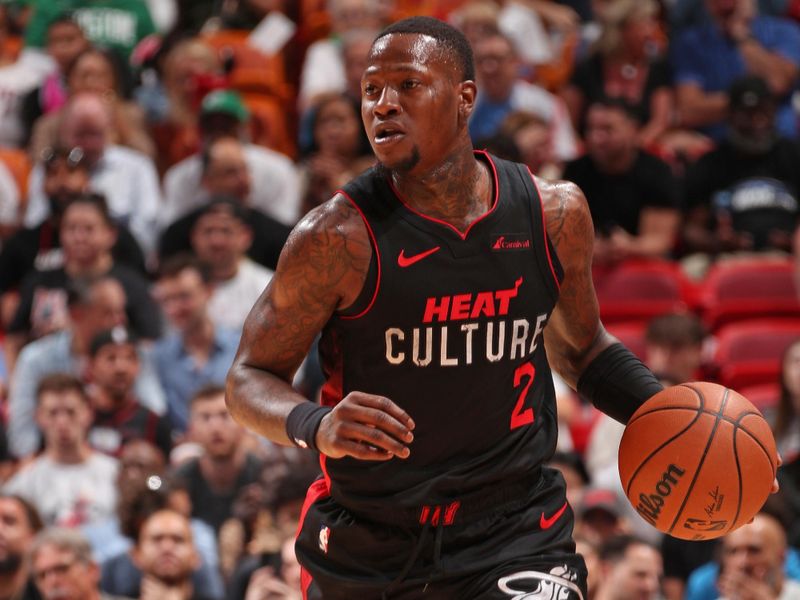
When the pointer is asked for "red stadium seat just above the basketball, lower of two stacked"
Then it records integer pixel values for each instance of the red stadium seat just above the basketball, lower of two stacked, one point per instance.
(749, 352)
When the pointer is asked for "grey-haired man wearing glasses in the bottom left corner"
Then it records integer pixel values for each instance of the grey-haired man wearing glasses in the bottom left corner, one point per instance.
(62, 567)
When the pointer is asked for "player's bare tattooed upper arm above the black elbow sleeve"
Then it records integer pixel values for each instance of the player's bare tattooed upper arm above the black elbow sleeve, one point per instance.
(574, 334)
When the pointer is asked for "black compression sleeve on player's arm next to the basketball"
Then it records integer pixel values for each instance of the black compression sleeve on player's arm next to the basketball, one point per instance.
(617, 383)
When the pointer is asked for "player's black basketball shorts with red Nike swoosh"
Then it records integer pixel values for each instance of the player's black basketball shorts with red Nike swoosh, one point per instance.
(518, 548)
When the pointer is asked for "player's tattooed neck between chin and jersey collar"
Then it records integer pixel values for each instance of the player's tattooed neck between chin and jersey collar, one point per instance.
(458, 190)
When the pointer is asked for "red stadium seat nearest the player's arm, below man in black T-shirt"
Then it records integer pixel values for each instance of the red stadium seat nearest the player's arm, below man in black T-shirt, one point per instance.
(641, 290)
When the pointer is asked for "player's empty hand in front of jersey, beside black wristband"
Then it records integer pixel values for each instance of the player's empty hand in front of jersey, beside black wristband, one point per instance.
(367, 427)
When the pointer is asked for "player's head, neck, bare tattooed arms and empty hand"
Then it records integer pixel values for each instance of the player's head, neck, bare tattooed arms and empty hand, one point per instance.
(415, 108)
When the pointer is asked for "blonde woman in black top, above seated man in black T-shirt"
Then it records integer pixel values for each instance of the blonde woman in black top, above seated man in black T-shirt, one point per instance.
(623, 64)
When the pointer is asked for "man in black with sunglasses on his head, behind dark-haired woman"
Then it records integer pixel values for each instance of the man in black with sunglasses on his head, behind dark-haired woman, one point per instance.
(66, 176)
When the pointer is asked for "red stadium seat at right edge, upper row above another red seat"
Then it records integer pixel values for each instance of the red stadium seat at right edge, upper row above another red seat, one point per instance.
(740, 290)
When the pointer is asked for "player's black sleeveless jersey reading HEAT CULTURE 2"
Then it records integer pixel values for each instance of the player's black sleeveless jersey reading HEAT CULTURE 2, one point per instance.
(450, 330)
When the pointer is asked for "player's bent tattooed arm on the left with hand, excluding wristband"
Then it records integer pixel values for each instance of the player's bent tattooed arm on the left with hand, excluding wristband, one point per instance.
(321, 269)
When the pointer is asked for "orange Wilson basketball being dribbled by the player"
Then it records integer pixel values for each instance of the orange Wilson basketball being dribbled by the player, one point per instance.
(697, 460)
